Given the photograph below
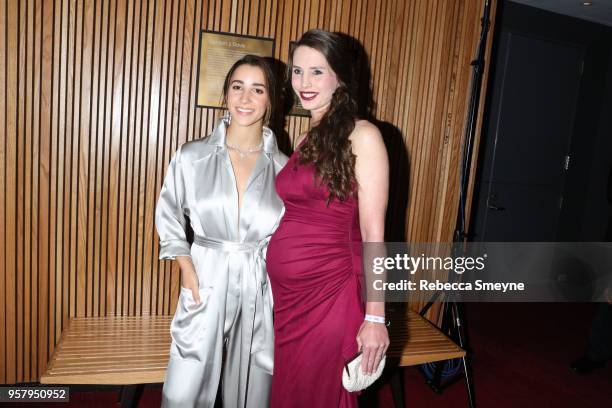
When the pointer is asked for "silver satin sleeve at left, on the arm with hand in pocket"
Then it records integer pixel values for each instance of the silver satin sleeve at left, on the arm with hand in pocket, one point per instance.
(170, 213)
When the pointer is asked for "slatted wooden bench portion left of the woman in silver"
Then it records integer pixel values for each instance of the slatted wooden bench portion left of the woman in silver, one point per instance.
(128, 351)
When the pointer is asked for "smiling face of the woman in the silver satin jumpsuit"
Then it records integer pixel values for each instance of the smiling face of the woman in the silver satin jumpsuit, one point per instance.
(247, 95)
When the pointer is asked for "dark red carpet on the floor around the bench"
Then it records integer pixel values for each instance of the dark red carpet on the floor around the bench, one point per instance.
(521, 356)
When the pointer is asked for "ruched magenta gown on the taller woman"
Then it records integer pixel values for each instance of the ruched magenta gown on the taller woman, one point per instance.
(314, 265)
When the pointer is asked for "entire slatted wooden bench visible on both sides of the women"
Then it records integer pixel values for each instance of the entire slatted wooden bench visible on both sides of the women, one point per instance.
(132, 351)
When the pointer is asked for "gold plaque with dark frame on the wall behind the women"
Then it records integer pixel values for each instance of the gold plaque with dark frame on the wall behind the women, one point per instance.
(218, 52)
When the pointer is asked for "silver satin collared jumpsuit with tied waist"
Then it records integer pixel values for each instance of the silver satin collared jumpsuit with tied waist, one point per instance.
(229, 335)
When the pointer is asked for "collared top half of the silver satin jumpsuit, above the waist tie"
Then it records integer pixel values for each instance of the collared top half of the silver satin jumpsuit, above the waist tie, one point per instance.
(200, 183)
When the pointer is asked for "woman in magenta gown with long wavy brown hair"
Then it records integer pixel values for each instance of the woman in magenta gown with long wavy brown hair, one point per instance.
(334, 188)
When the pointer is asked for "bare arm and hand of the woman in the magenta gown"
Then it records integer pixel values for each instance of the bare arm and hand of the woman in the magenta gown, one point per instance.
(372, 173)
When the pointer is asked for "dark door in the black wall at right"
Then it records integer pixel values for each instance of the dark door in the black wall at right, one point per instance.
(533, 106)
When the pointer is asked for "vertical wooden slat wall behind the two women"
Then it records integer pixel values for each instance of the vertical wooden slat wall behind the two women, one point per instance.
(95, 96)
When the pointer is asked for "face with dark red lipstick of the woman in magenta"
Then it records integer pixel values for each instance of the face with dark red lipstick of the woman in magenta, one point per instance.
(313, 80)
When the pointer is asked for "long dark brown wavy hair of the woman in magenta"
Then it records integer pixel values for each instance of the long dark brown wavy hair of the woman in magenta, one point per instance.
(327, 145)
